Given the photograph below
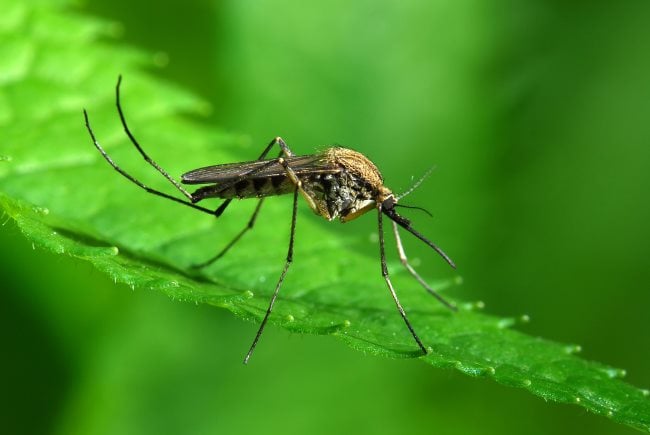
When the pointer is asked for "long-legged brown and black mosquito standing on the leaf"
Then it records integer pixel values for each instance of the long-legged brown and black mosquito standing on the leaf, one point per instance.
(337, 183)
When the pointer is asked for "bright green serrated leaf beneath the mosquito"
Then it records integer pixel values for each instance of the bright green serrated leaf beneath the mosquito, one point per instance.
(66, 199)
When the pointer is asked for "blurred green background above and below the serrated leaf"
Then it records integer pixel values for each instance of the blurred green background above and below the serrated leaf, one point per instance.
(535, 114)
